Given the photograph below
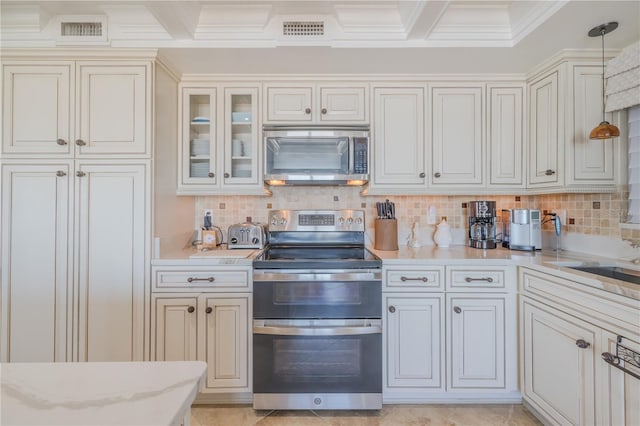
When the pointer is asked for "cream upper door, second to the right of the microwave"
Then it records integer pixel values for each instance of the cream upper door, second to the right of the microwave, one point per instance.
(457, 135)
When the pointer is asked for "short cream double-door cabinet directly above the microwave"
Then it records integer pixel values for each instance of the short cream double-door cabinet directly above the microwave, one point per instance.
(339, 103)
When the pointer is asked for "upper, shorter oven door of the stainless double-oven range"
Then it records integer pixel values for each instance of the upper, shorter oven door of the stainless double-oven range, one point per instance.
(317, 294)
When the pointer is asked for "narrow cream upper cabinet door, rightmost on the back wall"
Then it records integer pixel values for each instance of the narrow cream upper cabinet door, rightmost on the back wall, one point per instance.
(505, 137)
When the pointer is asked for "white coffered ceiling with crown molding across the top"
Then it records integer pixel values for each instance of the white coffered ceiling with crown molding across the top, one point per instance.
(359, 36)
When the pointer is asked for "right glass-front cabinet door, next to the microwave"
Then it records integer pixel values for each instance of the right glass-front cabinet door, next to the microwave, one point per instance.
(241, 136)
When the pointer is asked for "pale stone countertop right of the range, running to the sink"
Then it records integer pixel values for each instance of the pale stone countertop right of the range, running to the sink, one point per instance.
(547, 261)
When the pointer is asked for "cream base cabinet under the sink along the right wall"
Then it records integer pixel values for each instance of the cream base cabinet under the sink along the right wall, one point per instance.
(565, 328)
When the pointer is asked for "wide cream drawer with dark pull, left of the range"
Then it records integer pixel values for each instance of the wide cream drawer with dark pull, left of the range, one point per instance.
(200, 279)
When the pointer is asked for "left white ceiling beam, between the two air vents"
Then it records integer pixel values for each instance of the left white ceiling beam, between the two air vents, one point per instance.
(179, 19)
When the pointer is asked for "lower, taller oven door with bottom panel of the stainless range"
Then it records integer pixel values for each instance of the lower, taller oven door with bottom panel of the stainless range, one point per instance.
(316, 364)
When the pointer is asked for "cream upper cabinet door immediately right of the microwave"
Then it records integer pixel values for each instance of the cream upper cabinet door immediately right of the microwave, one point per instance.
(398, 138)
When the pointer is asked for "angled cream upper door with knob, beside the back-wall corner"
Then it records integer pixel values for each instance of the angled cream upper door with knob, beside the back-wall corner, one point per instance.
(545, 132)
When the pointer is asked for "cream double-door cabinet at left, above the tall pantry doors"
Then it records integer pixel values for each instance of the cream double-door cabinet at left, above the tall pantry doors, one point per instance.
(68, 108)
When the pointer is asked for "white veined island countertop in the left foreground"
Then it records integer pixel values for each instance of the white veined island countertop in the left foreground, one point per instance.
(99, 393)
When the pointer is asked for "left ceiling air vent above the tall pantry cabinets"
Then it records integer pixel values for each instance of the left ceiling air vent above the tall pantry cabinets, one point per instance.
(81, 29)
